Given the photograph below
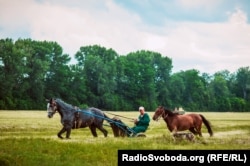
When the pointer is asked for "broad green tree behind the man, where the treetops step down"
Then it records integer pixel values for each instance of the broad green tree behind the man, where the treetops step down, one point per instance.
(146, 79)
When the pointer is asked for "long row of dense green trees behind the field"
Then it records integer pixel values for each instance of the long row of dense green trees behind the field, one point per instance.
(32, 71)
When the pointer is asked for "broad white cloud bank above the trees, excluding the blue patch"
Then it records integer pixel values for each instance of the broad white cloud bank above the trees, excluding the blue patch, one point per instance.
(207, 47)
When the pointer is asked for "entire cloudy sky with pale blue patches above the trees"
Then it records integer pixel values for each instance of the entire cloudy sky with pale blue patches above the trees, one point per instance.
(206, 35)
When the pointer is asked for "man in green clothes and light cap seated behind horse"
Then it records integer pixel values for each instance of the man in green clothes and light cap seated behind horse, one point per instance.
(142, 123)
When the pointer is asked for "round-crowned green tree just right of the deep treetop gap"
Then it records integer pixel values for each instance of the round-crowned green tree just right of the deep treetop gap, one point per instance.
(100, 72)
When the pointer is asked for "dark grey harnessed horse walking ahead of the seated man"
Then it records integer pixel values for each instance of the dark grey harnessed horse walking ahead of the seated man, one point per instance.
(74, 118)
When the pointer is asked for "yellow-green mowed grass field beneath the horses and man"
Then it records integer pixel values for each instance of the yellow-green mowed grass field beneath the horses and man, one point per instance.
(30, 138)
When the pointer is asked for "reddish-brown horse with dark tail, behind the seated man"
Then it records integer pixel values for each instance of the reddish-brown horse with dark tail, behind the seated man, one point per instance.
(176, 122)
